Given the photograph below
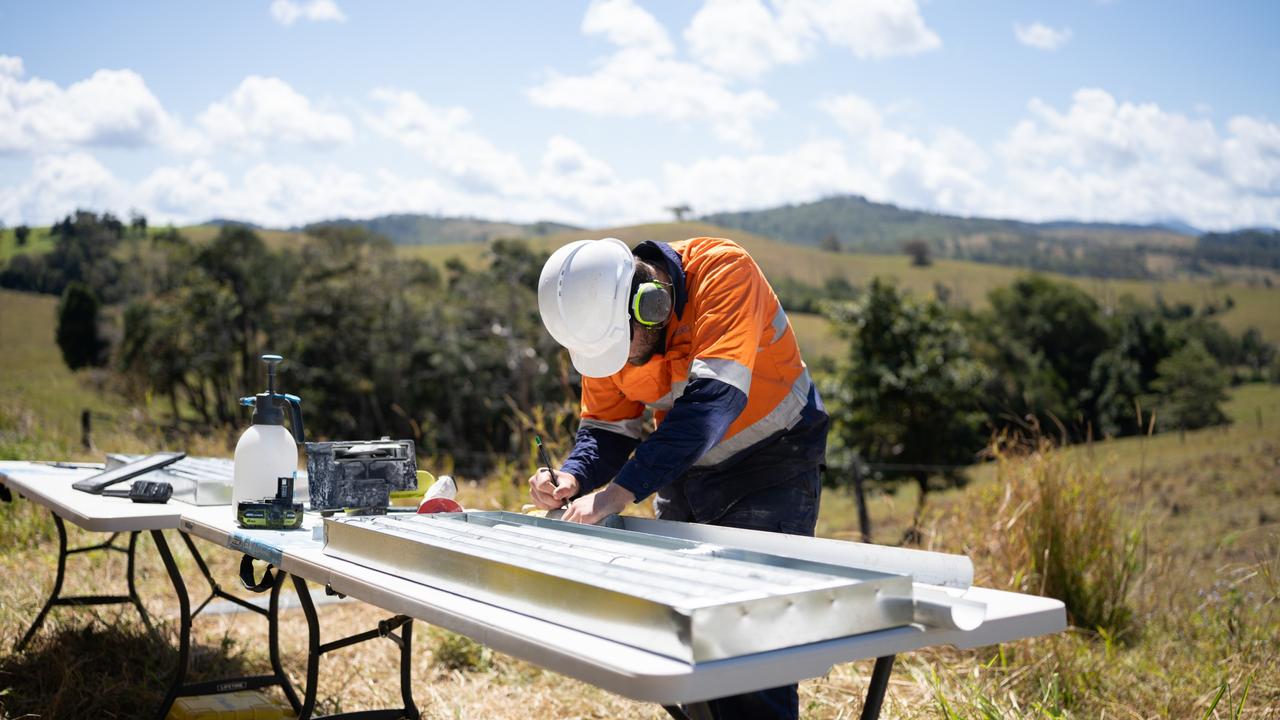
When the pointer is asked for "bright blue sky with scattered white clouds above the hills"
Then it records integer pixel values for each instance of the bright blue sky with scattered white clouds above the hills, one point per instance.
(285, 112)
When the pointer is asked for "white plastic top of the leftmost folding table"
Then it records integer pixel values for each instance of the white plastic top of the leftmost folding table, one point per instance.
(52, 487)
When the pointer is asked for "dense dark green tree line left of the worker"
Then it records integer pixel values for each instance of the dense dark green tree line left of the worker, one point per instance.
(374, 344)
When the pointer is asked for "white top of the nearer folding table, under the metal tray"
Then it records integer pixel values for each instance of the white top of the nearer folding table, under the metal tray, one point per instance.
(615, 667)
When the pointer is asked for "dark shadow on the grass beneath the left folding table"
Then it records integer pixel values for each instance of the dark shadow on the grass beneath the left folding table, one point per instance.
(116, 672)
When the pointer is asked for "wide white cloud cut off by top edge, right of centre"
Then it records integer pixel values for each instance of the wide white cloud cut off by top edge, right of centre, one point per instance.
(744, 39)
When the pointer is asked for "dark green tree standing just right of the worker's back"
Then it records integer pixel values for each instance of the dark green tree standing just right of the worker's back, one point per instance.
(909, 394)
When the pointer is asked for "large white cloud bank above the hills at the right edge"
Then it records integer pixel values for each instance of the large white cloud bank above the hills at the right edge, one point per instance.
(1103, 160)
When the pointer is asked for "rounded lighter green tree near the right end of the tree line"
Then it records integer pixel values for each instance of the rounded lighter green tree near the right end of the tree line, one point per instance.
(1191, 390)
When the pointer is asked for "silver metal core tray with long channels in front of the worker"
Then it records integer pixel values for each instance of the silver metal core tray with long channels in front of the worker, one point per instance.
(682, 599)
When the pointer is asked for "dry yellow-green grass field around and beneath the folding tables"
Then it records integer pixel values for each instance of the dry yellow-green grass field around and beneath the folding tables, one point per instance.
(1205, 505)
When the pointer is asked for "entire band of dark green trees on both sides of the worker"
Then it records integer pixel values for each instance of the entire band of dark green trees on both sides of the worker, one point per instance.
(456, 357)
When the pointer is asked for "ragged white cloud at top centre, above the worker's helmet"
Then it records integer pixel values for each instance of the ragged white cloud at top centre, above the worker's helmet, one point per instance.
(642, 79)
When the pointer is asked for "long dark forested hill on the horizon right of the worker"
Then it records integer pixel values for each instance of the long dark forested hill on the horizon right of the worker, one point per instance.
(857, 225)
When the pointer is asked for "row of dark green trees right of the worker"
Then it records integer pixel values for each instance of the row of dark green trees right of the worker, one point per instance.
(925, 388)
